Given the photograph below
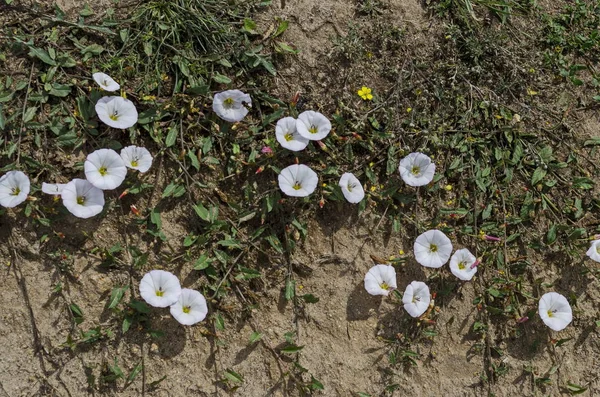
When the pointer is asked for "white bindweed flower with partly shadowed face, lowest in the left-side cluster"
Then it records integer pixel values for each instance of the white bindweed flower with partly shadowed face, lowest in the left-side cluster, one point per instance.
(82, 199)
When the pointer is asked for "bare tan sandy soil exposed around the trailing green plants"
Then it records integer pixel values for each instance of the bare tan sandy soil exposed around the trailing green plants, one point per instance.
(344, 334)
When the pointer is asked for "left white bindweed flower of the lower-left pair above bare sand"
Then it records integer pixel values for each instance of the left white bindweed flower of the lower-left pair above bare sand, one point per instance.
(160, 288)
